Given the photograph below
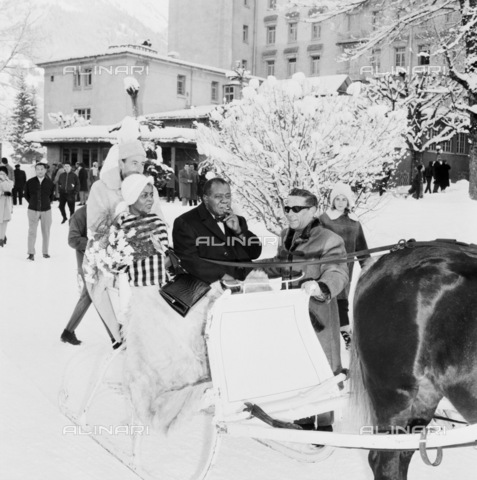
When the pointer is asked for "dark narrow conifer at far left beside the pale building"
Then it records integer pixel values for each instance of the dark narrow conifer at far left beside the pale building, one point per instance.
(24, 119)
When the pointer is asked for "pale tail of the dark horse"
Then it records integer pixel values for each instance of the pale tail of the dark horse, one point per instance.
(360, 412)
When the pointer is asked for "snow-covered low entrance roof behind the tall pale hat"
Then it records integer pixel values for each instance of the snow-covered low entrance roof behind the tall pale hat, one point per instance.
(102, 133)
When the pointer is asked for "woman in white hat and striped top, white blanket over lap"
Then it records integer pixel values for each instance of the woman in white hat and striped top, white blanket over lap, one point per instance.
(166, 368)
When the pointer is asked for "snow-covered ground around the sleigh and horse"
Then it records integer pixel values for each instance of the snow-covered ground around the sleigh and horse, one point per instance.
(36, 300)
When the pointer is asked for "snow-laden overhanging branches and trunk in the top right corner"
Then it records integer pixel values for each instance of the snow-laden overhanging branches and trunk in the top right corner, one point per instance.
(396, 19)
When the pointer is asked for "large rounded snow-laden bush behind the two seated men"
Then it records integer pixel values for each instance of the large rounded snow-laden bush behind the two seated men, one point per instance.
(282, 135)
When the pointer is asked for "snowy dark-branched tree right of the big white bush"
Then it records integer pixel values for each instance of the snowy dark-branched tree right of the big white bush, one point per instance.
(433, 105)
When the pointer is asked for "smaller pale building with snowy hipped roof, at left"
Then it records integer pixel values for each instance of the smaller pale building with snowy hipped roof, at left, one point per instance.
(93, 86)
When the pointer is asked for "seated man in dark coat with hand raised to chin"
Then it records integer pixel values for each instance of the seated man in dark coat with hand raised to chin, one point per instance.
(213, 231)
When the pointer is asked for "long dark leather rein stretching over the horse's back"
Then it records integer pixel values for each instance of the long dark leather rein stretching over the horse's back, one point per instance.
(351, 257)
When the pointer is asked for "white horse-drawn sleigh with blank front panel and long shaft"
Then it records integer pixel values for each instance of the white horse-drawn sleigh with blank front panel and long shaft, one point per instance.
(267, 370)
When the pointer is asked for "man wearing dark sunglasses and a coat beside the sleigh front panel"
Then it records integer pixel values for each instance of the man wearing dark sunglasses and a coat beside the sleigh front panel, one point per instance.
(306, 237)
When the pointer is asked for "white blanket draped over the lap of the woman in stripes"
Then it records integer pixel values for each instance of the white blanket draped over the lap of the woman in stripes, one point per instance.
(166, 367)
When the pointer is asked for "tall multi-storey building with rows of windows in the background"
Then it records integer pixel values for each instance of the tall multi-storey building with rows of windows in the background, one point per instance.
(269, 40)
